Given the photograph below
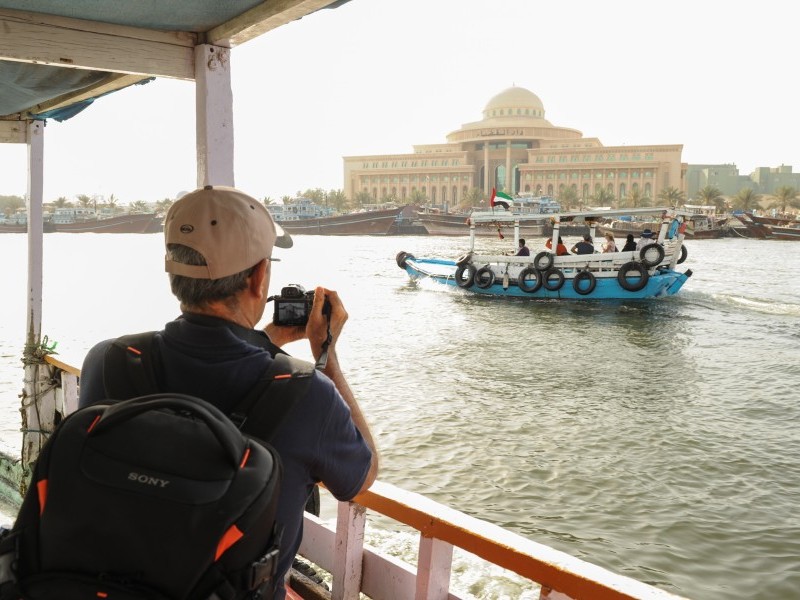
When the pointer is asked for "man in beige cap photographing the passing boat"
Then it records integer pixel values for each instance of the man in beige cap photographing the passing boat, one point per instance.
(219, 255)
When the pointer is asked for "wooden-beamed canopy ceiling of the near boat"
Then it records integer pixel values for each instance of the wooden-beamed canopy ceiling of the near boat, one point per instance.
(57, 56)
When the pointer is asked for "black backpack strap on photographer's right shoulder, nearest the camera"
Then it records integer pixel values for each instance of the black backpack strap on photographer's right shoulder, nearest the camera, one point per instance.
(266, 405)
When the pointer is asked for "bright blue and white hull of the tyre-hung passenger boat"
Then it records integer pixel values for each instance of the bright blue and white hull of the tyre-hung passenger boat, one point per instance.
(664, 282)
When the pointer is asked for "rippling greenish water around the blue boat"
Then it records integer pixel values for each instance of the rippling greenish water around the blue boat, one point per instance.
(658, 440)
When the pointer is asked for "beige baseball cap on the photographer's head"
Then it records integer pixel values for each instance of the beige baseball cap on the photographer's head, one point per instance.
(232, 230)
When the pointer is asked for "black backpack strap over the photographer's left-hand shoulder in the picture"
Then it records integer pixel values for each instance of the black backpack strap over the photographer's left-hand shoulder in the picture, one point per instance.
(131, 366)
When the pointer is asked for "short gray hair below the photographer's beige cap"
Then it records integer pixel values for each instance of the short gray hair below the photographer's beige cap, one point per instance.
(201, 292)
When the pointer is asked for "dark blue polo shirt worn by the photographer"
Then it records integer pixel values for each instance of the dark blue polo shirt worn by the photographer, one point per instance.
(220, 361)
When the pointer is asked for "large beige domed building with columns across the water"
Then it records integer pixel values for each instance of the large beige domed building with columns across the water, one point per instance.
(513, 148)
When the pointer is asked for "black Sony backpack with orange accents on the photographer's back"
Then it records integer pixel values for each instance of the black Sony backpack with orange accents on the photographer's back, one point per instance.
(158, 497)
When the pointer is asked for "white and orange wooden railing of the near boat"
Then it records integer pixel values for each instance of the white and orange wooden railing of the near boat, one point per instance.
(356, 568)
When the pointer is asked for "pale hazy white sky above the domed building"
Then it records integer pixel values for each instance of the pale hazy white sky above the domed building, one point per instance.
(377, 76)
